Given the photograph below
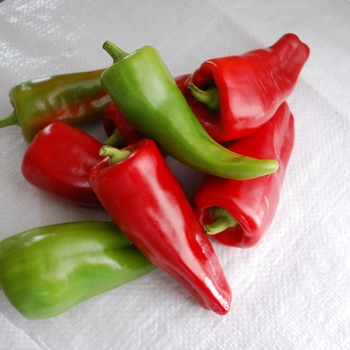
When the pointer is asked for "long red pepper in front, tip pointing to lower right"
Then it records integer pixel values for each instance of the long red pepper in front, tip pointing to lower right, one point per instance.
(144, 198)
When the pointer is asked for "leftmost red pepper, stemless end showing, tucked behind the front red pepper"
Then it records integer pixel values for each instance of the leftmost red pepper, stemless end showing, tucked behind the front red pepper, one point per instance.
(58, 160)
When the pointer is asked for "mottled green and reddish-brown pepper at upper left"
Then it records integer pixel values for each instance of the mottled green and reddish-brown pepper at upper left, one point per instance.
(73, 98)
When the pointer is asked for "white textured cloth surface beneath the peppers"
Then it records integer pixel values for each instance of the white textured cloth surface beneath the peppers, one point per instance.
(291, 291)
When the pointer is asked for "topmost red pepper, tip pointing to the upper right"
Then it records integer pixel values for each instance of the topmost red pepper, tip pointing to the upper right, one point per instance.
(243, 92)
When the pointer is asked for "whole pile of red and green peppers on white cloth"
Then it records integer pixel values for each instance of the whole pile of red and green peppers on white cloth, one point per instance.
(229, 120)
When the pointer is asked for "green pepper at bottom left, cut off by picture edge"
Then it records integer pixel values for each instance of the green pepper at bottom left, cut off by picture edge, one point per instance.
(47, 270)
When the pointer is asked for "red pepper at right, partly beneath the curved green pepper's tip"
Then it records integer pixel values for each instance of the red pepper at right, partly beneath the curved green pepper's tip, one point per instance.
(252, 203)
